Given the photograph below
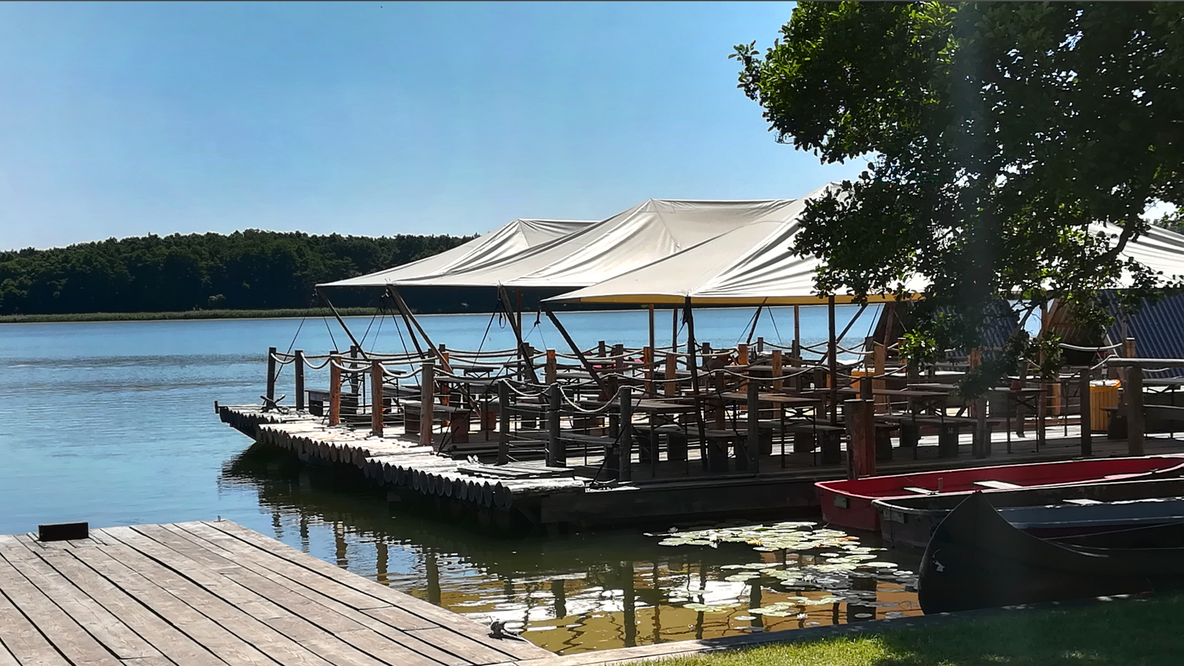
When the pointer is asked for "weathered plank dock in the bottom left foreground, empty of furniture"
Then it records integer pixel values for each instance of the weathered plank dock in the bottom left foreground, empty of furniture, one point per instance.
(217, 594)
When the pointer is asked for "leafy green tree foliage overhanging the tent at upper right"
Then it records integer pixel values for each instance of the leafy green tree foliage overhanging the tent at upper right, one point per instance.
(998, 135)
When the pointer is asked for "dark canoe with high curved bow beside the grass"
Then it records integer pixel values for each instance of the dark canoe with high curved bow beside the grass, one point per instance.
(977, 560)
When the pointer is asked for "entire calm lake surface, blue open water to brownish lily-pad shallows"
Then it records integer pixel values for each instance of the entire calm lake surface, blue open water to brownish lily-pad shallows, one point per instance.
(114, 424)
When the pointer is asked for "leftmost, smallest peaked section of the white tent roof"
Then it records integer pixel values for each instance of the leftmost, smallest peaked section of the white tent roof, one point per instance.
(496, 247)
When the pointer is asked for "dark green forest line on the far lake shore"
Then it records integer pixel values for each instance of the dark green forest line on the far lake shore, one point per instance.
(242, 271)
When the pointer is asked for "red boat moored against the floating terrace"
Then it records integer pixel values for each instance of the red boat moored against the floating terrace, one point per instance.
(848, 504)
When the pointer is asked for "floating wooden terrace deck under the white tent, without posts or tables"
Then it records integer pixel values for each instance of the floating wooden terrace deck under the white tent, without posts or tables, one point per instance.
(530, 495)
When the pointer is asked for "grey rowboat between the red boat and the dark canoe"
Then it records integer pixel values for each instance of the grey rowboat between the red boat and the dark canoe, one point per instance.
(1045, 511)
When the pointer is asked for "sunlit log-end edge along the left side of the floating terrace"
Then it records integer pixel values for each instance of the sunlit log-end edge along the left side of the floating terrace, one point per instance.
(402, 464)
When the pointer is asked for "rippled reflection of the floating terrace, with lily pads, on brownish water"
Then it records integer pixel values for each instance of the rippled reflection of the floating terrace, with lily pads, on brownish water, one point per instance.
(585, 592)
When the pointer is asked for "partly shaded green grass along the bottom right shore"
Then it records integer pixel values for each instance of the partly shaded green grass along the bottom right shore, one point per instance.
(1124, 632)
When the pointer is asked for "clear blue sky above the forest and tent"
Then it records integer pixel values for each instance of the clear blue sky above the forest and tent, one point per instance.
(375, 118)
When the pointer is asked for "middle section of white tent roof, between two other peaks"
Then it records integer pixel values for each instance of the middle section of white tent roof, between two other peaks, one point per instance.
(634, 239)
